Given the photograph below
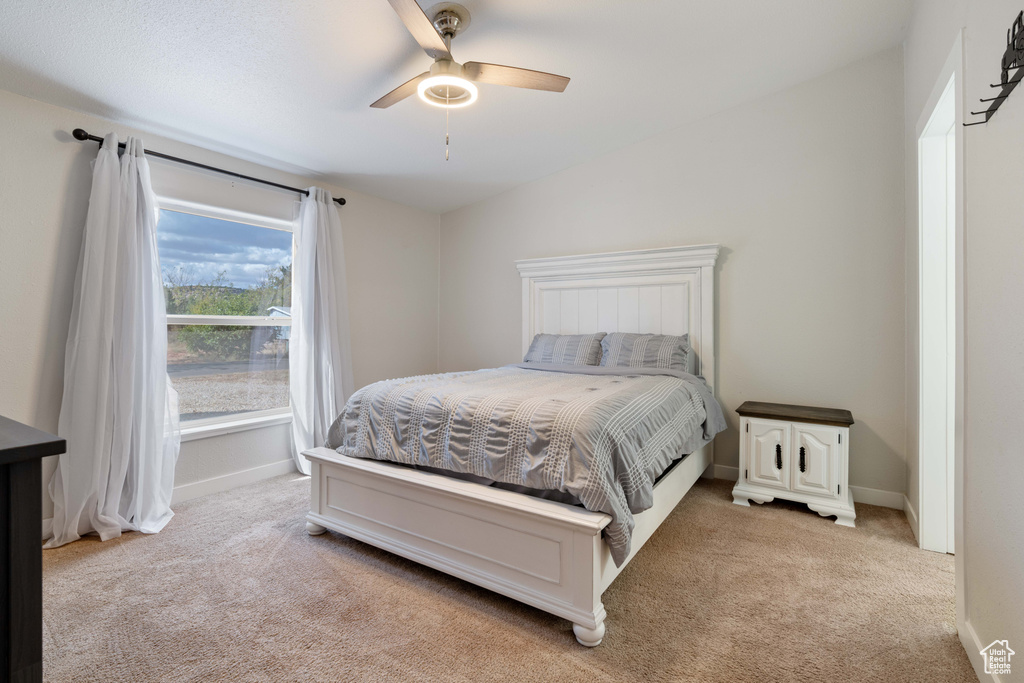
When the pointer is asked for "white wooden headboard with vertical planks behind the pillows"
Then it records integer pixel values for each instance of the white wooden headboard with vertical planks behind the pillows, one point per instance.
(662, 291)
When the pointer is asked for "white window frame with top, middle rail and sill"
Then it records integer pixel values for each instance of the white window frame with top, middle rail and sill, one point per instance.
(227, 424)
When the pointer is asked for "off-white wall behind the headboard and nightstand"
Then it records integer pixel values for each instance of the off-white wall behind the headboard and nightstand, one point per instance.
(804, 190)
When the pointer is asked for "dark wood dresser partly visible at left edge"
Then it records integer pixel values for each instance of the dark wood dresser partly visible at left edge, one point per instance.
(22, 449)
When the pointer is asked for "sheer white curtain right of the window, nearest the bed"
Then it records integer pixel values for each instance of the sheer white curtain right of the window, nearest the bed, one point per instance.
(321, 363)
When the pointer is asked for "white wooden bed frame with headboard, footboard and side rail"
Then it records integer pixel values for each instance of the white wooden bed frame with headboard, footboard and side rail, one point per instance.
(545, 554)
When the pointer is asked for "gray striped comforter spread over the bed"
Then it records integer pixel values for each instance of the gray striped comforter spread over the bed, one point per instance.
(603, 435)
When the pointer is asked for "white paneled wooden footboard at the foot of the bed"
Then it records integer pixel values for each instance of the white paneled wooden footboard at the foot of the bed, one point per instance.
(543, 553)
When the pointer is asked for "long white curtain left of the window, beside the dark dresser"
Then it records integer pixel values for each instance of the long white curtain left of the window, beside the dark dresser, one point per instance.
(119, 413)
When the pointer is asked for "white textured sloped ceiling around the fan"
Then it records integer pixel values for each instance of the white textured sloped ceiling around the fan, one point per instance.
(288, 83)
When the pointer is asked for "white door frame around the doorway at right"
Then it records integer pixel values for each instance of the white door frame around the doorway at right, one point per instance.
(934, 516)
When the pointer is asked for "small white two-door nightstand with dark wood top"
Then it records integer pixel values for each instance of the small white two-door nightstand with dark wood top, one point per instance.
(796, 453)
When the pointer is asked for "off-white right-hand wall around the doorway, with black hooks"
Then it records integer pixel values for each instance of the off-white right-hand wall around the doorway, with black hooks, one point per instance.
(994, 169)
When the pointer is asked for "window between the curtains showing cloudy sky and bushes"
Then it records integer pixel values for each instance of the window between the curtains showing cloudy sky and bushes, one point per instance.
(228, 284)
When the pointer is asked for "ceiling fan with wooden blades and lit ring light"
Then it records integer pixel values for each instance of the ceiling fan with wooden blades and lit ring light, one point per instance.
(450, 84)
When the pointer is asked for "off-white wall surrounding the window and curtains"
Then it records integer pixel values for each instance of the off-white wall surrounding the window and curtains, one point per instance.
(391, 255)
